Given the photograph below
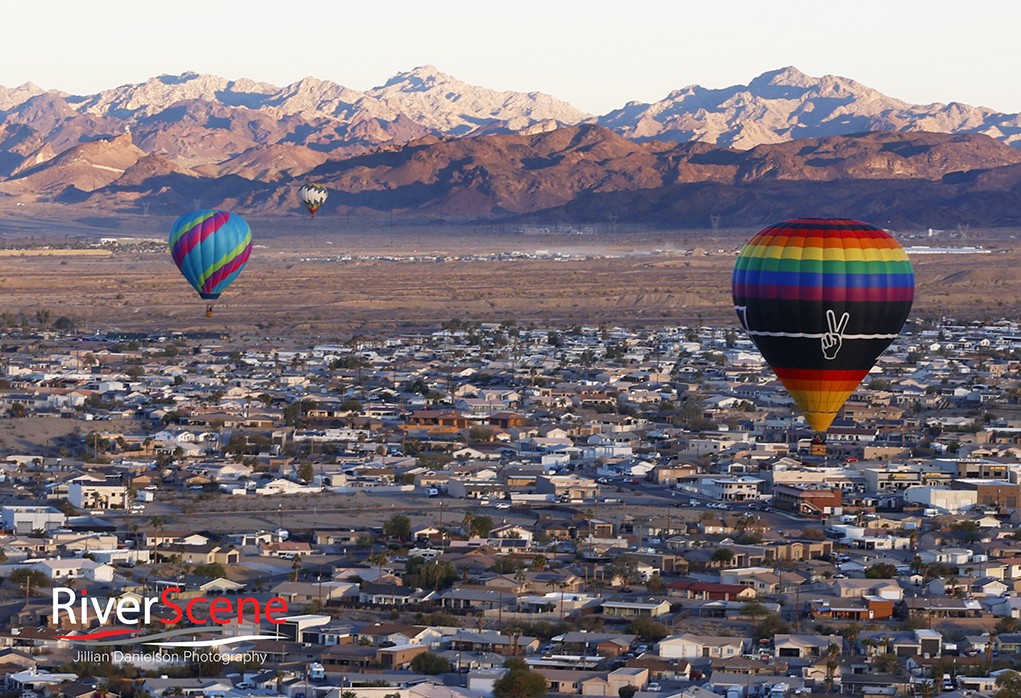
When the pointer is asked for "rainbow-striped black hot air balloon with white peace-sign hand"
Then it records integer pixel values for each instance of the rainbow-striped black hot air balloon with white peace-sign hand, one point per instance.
(822, 300)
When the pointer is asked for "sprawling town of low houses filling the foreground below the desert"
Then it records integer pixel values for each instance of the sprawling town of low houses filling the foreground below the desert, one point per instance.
(501, 510)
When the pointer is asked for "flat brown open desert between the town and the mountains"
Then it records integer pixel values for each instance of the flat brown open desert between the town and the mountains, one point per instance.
(333, 277)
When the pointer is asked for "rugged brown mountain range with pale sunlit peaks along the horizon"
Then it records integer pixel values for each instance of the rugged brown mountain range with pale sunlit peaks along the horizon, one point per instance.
(427, 144)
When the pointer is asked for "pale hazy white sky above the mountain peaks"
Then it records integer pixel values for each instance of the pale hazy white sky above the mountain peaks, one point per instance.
(597, 56)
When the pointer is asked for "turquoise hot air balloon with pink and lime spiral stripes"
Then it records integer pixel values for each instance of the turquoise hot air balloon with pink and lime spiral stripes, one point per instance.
(211, 248)
